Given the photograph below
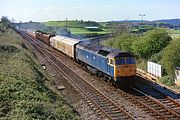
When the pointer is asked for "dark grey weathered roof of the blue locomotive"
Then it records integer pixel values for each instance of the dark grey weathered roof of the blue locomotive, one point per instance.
(104, 50)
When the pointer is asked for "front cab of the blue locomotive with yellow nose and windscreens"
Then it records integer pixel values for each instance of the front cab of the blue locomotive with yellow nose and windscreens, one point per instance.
(123, 65)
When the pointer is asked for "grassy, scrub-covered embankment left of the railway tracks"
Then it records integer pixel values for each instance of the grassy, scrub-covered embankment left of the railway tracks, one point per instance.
(24, 93)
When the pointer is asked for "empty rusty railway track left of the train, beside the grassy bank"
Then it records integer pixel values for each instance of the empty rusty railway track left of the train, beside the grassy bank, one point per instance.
(96, 99)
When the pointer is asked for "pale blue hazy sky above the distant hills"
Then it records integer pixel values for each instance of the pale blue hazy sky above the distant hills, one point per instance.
(97, 10)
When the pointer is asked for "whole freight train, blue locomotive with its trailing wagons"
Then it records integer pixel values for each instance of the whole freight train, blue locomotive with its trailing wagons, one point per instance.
(109, 63)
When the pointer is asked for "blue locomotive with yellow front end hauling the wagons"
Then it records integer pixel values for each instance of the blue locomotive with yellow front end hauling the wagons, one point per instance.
(106, 62)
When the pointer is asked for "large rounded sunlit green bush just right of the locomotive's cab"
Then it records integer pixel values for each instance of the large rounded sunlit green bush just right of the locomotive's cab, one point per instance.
(151, 43)
